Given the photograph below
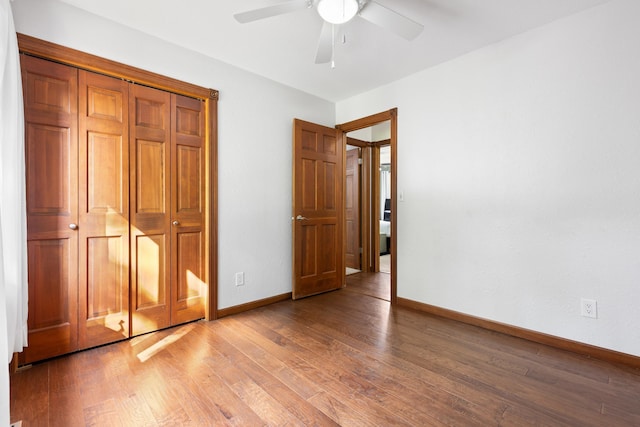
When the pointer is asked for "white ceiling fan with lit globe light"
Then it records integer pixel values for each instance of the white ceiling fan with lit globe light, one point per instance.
(338, 12)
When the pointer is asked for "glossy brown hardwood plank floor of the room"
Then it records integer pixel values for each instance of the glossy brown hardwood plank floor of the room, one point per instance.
(341, 358)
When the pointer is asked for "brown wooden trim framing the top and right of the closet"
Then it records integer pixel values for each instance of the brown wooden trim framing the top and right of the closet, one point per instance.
(54, 52)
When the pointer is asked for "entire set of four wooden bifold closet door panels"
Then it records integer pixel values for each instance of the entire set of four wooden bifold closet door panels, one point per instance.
(115, 208)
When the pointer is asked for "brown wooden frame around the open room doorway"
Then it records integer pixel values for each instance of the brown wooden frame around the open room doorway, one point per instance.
(364, 122)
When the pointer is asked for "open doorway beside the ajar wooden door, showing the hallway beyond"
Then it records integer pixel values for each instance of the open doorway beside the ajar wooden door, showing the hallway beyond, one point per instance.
(370, 189)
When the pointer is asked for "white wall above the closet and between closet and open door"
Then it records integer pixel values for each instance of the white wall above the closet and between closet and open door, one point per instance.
(255, 128)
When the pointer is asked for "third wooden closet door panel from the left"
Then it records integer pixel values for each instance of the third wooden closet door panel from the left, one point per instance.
(150, 113)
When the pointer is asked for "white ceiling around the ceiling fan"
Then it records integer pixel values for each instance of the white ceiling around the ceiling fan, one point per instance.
(283, 48)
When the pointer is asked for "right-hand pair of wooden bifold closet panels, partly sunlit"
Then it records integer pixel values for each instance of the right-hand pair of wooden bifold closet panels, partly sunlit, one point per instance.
(167, 196)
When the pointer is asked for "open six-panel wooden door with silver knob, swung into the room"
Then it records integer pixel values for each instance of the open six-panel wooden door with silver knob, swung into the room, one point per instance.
(318, 218)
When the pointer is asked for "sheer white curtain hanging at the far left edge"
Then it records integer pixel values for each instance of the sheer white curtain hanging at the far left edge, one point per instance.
(13, 228)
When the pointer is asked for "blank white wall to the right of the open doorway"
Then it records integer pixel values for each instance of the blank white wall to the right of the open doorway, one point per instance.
(520, 167)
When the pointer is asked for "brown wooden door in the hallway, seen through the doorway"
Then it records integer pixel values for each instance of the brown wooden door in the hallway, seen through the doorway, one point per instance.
(353, 255)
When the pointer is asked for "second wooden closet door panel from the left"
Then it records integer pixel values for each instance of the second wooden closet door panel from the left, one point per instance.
(103, 194)
